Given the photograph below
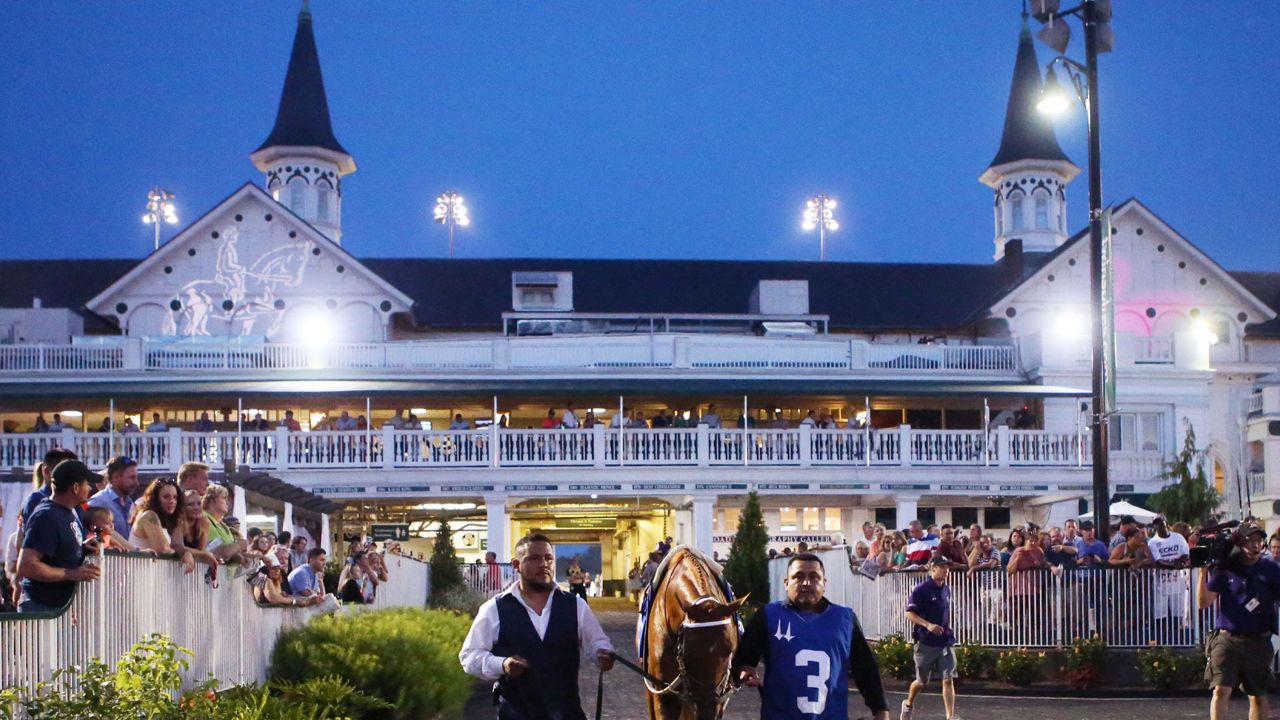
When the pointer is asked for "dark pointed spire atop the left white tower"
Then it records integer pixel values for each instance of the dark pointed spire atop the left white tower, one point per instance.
(303, 119)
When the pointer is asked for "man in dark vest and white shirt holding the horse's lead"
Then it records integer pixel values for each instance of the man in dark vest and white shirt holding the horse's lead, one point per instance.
(531, 639)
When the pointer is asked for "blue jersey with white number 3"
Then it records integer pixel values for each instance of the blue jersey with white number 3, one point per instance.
(807, 663)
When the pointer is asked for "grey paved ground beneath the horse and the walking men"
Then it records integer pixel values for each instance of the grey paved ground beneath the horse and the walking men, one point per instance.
(624, 696)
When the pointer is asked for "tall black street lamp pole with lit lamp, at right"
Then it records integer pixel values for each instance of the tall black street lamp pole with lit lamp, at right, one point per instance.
(1099, 38)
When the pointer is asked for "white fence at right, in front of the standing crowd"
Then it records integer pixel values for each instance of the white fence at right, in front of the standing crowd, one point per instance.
(1130, 609)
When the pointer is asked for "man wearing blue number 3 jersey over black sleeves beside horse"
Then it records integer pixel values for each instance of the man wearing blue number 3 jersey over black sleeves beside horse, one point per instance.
(811, 648)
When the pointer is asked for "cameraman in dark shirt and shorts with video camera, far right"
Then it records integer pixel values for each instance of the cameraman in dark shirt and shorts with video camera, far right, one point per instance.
(1240, 650)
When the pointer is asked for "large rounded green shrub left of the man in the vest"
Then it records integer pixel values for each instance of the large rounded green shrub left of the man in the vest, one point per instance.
(408, 658)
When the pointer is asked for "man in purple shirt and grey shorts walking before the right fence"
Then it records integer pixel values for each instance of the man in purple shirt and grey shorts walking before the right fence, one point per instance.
(930, 613)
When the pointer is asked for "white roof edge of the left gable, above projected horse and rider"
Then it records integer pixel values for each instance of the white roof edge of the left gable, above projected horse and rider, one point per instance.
(153, 262)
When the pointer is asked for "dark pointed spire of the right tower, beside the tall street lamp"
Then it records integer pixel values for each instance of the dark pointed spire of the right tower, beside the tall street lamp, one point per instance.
(1028, 133)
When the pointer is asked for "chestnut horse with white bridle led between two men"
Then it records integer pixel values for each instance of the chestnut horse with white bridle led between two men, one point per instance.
(691, 637)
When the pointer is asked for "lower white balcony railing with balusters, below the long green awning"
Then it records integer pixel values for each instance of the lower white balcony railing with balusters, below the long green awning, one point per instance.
(597, 448)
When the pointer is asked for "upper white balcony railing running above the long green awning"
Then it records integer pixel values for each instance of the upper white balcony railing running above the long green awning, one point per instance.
(648, 352)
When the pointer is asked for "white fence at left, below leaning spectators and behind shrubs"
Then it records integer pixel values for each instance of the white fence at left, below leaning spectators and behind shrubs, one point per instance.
(231, 636)
